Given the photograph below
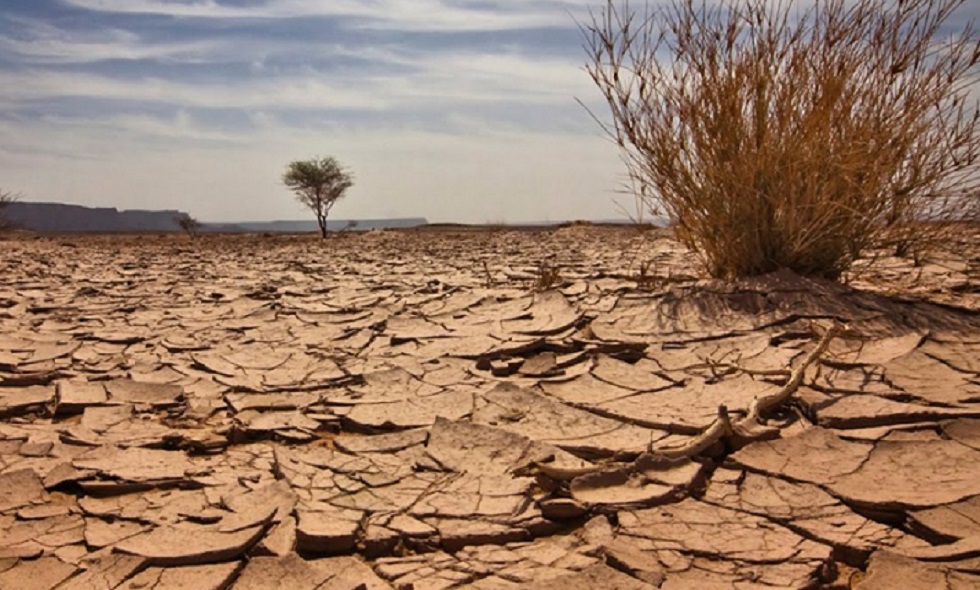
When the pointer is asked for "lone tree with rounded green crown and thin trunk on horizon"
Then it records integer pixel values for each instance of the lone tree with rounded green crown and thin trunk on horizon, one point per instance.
(318, 184)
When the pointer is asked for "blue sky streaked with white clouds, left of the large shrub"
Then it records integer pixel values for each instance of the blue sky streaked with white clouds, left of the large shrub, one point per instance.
(458, 110)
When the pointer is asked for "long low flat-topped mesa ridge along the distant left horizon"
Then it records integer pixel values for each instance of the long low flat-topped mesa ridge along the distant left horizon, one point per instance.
(60, 217)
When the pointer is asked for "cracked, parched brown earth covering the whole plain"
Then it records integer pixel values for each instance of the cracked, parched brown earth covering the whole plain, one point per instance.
(480, 409)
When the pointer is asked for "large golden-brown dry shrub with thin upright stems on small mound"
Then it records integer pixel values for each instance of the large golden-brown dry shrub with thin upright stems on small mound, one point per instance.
(778, 134)
